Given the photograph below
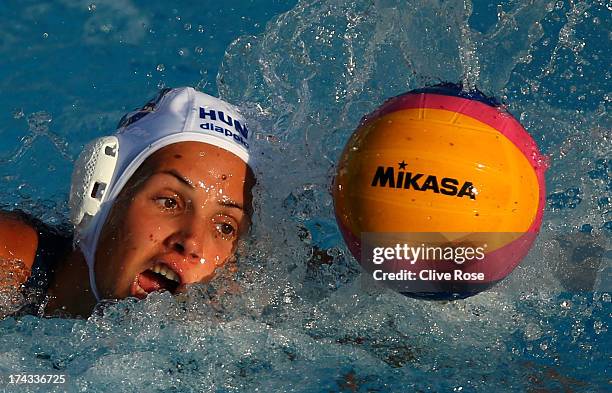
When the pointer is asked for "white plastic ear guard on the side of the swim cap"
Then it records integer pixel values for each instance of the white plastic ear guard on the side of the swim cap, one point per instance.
(90, 180)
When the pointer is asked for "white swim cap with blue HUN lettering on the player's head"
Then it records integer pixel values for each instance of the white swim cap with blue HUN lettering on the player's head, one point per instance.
(106, 164)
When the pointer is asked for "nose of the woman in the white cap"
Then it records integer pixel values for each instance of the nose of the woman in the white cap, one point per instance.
(189, 239)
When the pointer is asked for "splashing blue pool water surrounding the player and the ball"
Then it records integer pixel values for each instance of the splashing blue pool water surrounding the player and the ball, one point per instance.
(305, 72)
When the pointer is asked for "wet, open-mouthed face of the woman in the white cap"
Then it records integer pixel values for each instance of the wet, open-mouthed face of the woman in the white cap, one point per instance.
(176, 221)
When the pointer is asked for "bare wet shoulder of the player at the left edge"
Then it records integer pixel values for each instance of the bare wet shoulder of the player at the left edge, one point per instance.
(18, 238)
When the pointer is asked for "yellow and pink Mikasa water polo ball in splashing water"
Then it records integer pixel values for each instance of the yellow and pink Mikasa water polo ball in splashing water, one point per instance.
(442, 161)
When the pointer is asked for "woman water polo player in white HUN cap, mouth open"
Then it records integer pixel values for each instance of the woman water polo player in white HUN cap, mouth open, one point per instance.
(156, 206)
